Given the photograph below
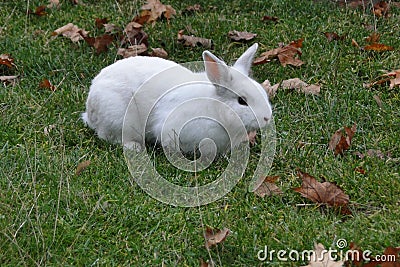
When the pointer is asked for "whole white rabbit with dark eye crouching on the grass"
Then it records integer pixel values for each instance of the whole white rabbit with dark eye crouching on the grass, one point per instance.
(171, 104)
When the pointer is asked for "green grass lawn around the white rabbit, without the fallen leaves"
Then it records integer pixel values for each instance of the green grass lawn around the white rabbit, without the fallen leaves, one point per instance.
(50, 216)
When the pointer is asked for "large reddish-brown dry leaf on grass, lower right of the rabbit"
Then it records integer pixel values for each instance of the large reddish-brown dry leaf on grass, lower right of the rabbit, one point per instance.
(323, 193)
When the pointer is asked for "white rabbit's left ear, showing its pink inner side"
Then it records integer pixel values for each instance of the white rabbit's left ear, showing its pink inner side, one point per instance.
(217, 71)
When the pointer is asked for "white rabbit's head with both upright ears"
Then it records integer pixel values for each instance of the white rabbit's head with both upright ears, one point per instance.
(235, 88)
